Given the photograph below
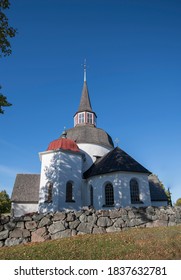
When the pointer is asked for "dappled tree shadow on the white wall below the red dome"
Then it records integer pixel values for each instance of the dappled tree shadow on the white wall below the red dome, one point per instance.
(63, 168)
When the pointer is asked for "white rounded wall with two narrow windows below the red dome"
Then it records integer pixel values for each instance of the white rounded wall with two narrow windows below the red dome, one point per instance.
(59, 168)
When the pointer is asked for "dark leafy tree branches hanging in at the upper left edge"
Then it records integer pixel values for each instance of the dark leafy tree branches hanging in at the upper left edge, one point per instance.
(6, 32)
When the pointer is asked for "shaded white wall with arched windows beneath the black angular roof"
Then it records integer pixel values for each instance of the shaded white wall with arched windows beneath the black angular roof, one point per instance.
(121, 186)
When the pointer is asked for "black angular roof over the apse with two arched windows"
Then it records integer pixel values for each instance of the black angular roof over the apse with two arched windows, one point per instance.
(115, 160)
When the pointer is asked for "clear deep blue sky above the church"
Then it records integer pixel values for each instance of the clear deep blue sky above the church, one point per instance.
(133, 52)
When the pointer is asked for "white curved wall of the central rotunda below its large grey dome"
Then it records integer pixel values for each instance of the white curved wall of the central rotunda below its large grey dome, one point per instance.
(92, 150)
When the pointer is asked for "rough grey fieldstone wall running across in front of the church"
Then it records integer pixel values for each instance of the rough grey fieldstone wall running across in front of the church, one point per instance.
(38, 227)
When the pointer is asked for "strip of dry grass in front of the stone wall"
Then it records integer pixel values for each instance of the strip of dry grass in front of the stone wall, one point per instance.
(138, 243)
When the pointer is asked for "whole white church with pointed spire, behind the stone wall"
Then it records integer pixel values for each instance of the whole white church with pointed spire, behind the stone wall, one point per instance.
(83, 168)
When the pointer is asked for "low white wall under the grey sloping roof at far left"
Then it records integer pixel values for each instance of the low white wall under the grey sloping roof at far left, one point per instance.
(19, 209)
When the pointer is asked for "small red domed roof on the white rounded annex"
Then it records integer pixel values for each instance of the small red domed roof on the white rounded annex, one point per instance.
(64, 144)
